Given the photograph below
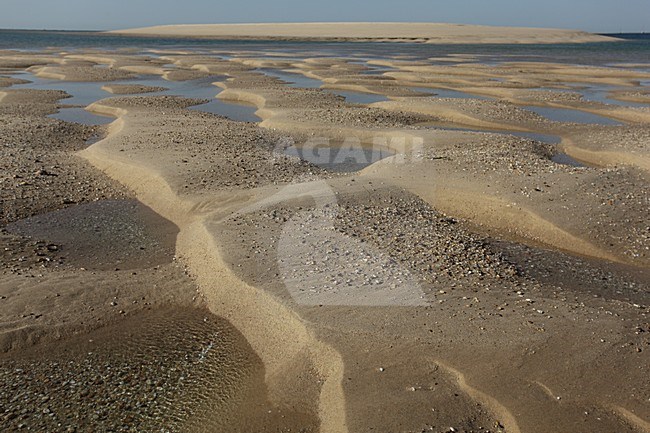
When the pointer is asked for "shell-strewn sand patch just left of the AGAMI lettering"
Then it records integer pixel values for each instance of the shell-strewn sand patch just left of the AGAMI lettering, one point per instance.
(212, 151)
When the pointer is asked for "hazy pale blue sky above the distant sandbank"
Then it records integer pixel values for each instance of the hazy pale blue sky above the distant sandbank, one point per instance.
(590, 15)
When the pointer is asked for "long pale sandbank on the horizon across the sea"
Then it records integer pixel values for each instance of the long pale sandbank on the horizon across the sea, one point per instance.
(397, 32)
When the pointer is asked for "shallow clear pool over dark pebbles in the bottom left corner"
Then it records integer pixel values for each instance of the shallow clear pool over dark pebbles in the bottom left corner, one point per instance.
(162, 370)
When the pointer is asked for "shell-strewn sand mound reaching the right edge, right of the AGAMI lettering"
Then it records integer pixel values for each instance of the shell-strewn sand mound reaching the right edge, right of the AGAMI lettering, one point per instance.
(610, 202)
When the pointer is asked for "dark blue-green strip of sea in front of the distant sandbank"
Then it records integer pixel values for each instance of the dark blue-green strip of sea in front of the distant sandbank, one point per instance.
(633, 47)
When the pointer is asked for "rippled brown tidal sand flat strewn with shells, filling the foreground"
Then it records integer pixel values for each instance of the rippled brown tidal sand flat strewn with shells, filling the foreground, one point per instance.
(464, 281)
